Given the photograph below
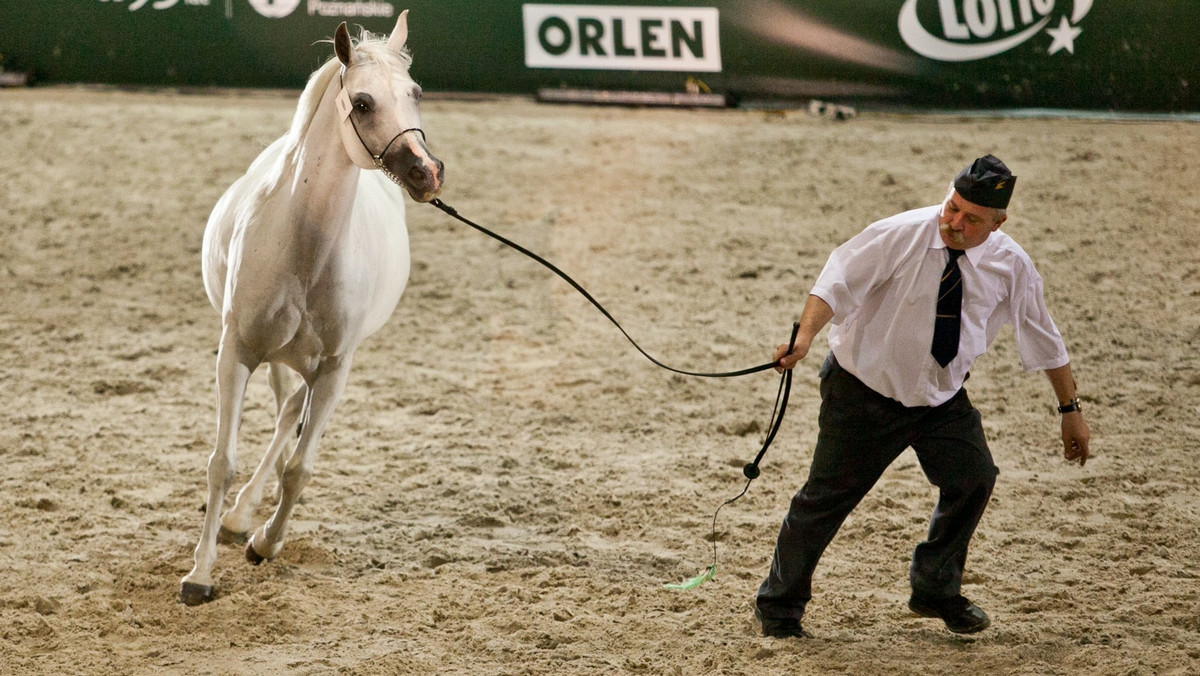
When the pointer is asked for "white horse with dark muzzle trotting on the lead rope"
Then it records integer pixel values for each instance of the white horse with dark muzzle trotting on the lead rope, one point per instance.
(304, 258)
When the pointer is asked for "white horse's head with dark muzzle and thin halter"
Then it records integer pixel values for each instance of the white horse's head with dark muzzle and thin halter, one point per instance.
(381, 122)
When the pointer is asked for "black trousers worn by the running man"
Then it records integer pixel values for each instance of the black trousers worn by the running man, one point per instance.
(861, 434)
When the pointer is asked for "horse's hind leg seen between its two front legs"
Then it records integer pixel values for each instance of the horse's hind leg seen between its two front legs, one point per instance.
(237, 523)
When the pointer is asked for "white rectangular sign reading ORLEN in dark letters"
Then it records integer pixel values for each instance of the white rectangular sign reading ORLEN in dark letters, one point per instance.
(631, 39)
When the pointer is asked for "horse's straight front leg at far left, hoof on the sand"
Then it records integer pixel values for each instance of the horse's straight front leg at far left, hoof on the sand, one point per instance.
(233, 374)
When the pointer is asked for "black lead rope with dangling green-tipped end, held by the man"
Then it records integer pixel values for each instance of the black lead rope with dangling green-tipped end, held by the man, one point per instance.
(777, 417)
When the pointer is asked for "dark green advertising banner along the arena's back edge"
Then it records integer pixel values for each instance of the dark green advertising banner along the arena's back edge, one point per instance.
(1093, 55)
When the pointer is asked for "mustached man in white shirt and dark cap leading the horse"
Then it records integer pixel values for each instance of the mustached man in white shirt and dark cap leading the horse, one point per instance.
(915, 301)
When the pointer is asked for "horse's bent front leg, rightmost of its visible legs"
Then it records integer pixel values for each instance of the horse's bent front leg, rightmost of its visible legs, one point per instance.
(325, 393)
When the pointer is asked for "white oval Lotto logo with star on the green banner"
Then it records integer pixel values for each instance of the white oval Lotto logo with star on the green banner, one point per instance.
(979, 29)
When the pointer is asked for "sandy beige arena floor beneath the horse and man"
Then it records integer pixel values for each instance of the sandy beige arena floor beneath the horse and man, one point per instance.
(507, 484)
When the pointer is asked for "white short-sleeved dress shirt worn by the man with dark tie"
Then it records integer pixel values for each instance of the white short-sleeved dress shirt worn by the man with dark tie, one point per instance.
(883, 288)
